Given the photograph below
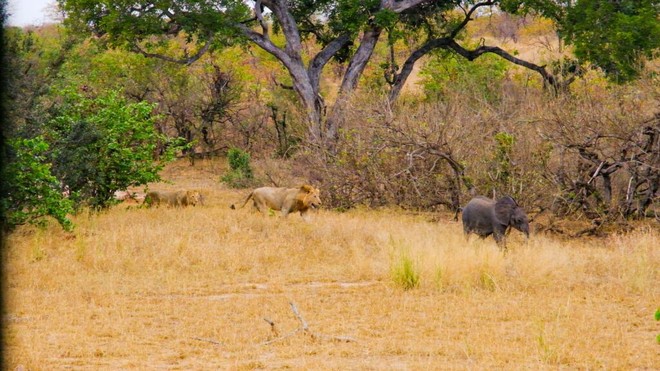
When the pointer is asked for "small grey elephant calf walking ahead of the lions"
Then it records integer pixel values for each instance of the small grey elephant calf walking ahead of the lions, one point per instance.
(484, 217)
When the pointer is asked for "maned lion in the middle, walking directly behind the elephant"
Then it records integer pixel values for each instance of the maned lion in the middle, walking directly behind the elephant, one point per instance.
(286, 200)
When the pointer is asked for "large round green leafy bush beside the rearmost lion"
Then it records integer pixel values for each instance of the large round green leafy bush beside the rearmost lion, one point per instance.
(106, 144)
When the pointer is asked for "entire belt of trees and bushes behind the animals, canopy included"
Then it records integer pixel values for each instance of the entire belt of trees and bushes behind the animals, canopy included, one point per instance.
(100, 102)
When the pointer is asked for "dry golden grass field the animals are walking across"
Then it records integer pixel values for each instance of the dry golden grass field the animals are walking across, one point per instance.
(190, 289)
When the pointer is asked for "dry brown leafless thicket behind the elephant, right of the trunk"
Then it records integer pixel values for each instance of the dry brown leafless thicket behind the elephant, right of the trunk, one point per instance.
(591, 152)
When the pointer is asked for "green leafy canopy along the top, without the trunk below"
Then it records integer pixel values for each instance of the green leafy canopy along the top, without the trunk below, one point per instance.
(611, 34)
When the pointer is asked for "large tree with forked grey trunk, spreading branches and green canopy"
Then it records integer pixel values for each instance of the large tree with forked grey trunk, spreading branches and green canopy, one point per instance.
(348, 30)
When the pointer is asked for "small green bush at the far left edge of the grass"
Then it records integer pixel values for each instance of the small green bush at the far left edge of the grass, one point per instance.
(33, 193)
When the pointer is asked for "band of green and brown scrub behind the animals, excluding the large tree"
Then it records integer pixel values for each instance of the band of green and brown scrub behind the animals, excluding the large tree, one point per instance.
(458, 128)
